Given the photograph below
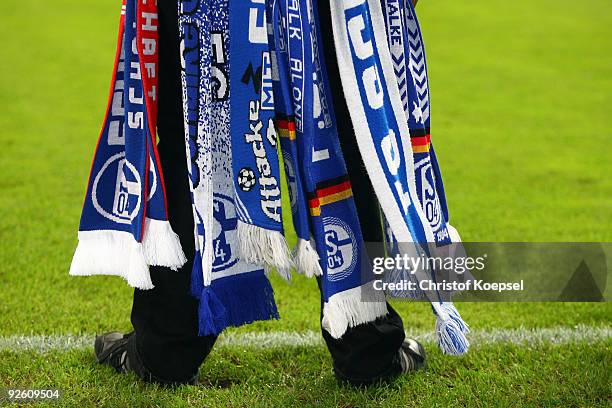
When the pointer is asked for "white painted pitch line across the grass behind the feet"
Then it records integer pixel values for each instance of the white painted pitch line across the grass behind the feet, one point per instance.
(553, 335)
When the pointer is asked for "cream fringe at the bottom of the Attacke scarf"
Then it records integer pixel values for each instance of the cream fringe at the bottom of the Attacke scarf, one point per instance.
(269, 248)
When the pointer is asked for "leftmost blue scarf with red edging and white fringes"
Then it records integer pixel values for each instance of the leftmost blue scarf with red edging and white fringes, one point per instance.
(124, 225)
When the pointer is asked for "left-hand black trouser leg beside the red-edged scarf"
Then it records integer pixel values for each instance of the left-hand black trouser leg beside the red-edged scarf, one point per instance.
(165, 319)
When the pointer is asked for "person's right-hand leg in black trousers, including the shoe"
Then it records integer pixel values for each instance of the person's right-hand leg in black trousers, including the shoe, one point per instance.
(377, 350)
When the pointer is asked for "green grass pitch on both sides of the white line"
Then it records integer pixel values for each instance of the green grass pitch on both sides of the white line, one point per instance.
(521, 95)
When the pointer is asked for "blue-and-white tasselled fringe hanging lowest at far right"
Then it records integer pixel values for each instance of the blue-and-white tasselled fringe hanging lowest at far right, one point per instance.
(451, 330)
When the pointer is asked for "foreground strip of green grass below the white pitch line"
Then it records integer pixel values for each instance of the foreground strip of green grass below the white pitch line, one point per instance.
(546, 376)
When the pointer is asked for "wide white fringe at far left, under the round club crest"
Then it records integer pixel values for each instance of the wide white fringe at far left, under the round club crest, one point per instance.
(112, 253)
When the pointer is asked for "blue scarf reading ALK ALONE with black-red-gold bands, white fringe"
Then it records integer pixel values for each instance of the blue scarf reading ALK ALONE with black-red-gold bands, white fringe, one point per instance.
(314, 156)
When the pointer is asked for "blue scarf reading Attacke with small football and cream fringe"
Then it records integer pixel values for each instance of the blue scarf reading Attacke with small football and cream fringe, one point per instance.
(254, 141)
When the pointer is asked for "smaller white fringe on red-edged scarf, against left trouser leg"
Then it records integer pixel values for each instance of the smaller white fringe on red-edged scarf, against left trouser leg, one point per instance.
(162, 246)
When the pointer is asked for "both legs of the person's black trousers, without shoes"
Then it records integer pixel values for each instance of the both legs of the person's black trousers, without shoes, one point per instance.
(166, 347)
